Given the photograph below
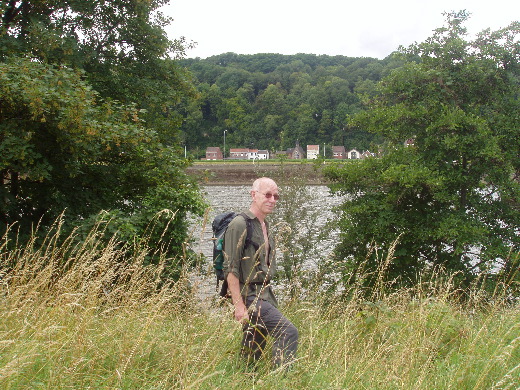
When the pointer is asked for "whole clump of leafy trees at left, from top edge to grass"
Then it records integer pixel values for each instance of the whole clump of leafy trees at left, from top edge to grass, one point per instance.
(89, 119)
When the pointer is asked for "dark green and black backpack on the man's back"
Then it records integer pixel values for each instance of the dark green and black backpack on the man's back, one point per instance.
(219, 226)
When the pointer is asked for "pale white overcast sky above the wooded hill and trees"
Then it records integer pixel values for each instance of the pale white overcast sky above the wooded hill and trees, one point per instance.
(356, 28)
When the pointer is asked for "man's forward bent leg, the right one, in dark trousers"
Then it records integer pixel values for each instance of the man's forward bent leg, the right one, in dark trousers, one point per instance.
(266, 316)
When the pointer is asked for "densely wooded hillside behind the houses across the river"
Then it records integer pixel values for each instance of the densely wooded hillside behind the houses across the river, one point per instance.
(272, 101)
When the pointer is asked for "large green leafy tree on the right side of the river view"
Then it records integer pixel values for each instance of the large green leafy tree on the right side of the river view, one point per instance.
(450, 197)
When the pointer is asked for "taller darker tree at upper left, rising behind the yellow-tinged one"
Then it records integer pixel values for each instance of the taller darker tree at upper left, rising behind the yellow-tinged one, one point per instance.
(121, 45)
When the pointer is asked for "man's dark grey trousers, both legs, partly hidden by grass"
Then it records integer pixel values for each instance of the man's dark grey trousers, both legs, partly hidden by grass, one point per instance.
(266, 320)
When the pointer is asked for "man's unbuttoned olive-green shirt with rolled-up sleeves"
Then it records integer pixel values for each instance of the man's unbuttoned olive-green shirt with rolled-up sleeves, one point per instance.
(249, 265)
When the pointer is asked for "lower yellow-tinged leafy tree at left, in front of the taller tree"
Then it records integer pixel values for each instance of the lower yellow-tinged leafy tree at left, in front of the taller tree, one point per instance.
(64, 148)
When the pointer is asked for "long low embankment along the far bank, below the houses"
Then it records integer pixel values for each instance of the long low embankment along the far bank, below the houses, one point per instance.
(244, 173)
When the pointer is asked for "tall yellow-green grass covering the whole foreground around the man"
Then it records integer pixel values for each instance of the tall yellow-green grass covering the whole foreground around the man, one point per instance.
(90, 315)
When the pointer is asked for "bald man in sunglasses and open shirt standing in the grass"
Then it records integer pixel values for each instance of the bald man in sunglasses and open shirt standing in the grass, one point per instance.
(249, 271)
